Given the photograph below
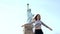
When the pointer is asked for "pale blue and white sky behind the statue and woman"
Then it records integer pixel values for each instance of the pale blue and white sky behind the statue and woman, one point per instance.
(13, 14)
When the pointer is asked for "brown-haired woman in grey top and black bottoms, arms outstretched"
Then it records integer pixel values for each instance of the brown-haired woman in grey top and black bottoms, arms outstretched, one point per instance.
(38, 23)
